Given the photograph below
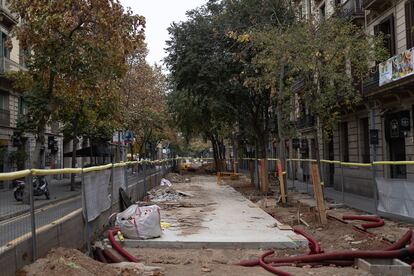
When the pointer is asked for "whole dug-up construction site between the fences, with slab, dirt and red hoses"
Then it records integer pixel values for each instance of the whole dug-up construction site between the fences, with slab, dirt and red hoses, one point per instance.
(220, 224)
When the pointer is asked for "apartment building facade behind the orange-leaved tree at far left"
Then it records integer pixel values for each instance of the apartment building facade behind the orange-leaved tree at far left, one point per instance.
(16, 151)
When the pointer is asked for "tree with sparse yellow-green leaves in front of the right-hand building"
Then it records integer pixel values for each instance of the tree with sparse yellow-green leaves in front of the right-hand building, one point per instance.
(333, 62)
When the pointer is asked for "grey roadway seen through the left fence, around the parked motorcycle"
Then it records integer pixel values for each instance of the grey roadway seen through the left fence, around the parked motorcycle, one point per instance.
(59, 190)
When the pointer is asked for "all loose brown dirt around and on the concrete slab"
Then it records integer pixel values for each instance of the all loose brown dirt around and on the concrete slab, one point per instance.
(334, 236)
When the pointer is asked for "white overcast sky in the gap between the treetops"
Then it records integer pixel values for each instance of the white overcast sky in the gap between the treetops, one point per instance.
(160, 14)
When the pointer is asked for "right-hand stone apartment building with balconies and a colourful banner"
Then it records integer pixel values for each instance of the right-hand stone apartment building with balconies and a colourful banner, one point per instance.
(381, 128)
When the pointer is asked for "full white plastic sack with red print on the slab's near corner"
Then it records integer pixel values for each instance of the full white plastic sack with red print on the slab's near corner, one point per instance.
(140, 222)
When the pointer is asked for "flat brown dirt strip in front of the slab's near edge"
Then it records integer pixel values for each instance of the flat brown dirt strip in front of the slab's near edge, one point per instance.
(188, 262)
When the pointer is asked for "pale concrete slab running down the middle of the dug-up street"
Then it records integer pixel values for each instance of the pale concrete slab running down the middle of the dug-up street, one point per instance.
(231, 222)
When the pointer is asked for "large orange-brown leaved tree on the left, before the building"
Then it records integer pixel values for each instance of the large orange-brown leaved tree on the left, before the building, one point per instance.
(74, 51)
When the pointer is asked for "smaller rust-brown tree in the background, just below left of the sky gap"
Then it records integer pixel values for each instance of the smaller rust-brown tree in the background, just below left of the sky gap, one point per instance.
(144, 100)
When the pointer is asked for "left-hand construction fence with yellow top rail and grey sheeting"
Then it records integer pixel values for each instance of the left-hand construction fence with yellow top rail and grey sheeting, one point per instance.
(30, 228)
